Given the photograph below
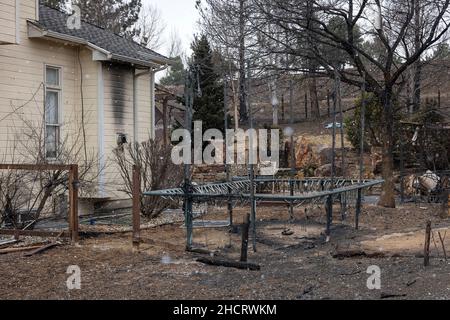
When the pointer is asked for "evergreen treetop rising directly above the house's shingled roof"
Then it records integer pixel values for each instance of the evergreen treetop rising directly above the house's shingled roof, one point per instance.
(118, 16)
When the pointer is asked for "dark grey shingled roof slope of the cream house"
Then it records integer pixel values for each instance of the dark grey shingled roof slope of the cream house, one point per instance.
(56, 21)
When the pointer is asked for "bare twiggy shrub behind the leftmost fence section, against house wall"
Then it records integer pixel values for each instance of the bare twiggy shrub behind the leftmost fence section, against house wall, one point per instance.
(29, 192)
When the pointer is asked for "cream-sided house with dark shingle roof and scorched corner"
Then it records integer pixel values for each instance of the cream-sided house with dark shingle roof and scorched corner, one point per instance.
(47, 68)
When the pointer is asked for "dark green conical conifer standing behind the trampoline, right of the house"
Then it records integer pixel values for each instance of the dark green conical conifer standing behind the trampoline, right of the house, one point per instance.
(208, 107)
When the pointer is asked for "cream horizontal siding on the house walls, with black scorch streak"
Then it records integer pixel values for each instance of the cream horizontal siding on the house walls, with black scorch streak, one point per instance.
(22, 69)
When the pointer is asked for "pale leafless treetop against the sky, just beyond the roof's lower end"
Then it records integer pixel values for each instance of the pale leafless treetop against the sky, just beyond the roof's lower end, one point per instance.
(151, 27)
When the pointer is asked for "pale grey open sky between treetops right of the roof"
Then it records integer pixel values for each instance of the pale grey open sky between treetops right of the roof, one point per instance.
(180, 15)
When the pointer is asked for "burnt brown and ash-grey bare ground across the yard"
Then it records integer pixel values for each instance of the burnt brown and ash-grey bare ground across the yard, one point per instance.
(295, 266)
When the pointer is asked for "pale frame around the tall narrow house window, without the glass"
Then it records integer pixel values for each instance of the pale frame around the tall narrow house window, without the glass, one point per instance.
(58, 89)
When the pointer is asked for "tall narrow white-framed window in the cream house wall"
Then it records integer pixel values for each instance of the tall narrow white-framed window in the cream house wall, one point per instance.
(52, 110)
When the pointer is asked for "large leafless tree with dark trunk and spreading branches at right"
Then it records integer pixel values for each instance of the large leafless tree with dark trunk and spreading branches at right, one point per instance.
(390, 30)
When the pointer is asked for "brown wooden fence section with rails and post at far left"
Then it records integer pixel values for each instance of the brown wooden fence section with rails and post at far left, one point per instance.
(73, 231)
